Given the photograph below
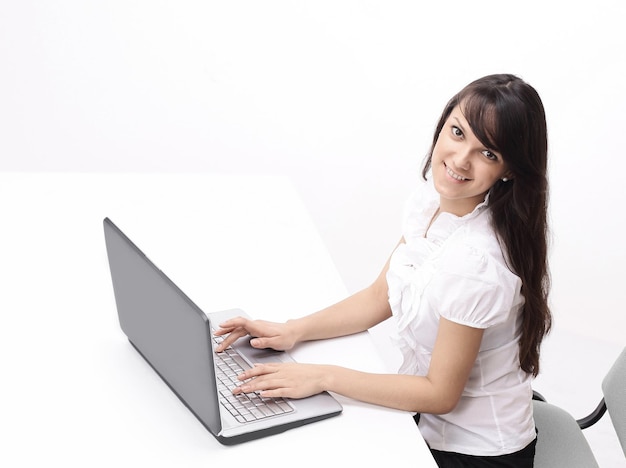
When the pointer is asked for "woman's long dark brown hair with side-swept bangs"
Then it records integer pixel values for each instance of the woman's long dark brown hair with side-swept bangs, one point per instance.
(507, 116)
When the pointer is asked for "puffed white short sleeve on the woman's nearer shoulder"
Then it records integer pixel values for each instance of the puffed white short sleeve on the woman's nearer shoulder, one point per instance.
(473, 288)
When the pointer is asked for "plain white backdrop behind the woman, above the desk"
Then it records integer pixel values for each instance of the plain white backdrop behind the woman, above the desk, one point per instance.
(342, 97)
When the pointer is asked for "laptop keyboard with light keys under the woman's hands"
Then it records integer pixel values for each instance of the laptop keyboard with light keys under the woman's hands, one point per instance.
(245, 407)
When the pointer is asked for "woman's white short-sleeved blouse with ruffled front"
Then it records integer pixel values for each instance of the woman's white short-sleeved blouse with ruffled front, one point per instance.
(459, 272)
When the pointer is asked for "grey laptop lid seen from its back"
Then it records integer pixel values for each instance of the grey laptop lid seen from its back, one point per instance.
(165, 326)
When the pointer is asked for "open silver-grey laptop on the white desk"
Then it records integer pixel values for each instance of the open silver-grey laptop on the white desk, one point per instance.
(175, 337)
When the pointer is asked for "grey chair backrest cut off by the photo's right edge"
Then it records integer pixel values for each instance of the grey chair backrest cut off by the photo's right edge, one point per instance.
(614, 389)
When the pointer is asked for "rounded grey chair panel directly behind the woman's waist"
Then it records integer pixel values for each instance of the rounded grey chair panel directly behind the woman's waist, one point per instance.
(560, 441)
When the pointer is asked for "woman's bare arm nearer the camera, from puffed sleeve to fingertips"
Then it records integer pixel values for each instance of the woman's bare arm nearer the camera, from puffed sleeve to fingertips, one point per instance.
(438, 392)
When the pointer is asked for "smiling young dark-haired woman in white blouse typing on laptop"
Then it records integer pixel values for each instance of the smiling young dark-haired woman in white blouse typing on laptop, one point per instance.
(467, 284)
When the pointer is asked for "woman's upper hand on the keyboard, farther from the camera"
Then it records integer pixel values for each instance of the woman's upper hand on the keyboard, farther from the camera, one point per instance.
(278, 336)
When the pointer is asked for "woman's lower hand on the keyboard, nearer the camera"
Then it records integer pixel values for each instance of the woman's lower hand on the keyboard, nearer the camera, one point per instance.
(289, 380)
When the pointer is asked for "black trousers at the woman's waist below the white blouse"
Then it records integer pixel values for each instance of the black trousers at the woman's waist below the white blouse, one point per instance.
(524, 458)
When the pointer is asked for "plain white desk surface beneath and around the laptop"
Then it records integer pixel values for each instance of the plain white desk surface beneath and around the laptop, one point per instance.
(76, 393)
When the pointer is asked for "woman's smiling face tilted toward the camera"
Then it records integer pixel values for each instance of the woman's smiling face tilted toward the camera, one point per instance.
(463, 168)
